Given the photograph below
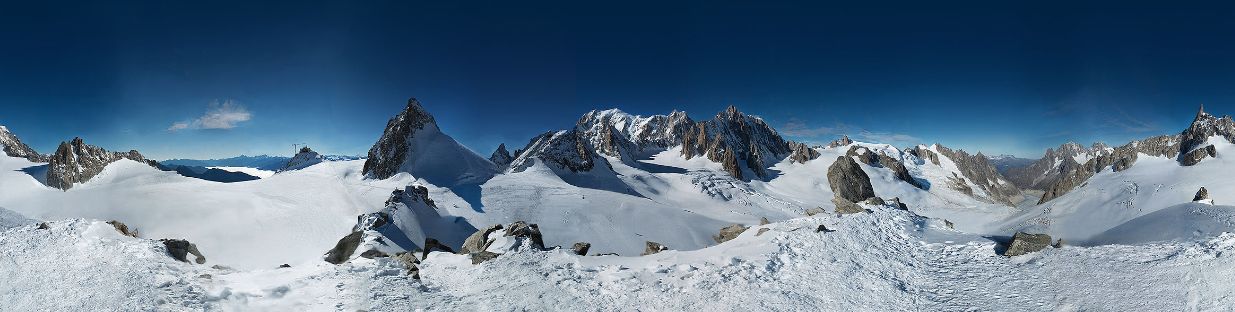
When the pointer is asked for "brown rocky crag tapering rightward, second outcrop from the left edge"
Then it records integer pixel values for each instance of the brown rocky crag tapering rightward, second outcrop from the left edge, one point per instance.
(76, 162)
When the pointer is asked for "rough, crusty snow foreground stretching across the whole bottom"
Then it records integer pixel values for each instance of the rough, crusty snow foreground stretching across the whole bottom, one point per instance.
(884, 261)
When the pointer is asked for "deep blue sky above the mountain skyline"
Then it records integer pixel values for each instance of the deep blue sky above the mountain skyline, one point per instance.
(998, 78)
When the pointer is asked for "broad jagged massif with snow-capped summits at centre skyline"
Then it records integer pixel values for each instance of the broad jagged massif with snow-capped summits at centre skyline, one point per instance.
(742, 144)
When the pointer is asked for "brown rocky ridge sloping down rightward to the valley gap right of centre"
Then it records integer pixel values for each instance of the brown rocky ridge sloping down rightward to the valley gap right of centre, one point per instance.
(980, 172)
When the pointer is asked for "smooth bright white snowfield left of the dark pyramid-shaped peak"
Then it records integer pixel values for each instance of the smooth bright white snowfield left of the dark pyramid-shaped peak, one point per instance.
(291, 218)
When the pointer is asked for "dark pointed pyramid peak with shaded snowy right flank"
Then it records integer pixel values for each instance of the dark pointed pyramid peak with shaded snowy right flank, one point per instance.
(413, 144)
